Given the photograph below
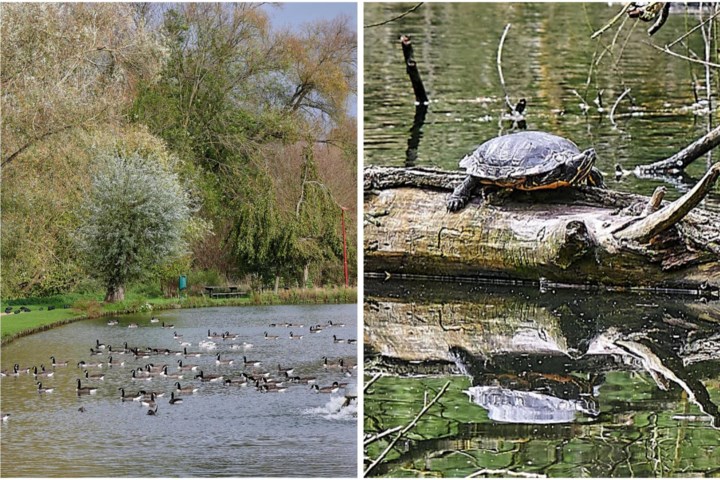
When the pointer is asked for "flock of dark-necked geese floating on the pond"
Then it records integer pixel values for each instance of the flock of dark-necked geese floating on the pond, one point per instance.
(182, 371)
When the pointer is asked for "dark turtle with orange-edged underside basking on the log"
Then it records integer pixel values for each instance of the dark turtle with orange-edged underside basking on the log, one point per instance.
(527, 160)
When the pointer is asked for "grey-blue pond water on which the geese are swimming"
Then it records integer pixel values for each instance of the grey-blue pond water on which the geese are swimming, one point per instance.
(221, 430)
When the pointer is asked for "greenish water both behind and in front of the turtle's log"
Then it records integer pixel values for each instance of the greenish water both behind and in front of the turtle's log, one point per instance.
(573, 383)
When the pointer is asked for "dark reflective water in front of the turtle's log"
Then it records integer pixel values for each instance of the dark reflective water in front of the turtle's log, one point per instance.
(564, 384)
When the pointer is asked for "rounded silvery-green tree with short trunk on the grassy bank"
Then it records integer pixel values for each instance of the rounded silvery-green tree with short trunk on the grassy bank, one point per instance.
(132, 220)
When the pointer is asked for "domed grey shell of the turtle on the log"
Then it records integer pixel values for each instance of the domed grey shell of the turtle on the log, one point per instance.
(518, 155)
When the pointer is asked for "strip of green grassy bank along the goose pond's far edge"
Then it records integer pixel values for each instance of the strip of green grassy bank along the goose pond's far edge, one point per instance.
(70, 308)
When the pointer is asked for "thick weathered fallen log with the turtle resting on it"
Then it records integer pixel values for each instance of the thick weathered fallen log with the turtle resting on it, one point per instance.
(580, 235)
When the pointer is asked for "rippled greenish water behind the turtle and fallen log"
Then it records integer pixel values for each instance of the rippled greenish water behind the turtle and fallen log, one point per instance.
(547, 55)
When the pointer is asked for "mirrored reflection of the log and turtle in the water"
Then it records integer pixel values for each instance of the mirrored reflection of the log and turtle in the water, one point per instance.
(528, 361)
